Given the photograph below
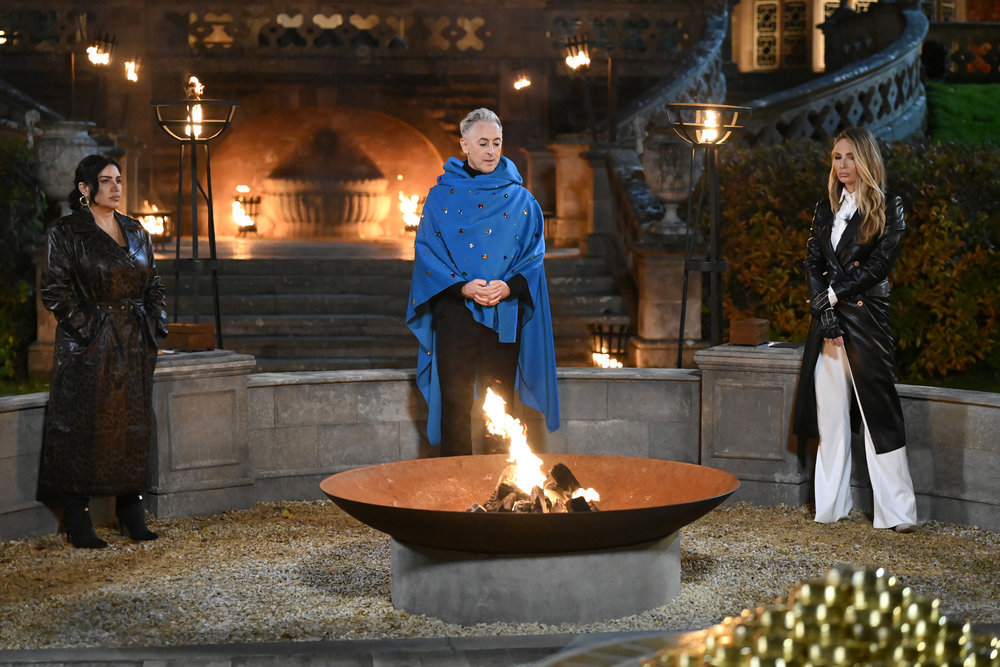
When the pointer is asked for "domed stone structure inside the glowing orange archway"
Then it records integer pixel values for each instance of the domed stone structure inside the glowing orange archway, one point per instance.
(328, 188)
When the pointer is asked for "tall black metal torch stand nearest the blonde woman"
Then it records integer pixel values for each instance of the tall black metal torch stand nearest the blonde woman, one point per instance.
(707, 126)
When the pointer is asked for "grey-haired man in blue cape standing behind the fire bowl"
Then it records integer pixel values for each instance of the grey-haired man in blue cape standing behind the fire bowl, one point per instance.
(479, 304)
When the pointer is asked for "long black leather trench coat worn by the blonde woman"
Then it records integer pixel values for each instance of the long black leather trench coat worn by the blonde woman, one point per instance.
(858, 274)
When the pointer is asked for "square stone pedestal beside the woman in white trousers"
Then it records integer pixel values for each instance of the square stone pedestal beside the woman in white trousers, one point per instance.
(747, 394)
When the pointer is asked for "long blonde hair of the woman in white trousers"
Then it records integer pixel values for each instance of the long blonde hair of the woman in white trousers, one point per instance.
(870, 190)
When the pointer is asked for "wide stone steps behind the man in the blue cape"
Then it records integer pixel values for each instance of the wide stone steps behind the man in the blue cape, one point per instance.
(340, 314)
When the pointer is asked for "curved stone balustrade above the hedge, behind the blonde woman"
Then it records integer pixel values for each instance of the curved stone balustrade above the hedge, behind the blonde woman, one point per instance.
(883, 93)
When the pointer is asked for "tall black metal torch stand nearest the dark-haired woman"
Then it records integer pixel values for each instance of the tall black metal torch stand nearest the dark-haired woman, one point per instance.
(195, 121)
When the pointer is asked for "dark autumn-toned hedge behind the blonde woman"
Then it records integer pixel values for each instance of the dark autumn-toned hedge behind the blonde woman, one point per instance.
(946, 283)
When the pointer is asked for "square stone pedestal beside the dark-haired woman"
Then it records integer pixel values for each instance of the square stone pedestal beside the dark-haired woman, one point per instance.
(202, 457)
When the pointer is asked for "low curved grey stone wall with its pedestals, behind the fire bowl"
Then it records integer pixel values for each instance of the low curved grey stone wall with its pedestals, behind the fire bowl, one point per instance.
(228, 439)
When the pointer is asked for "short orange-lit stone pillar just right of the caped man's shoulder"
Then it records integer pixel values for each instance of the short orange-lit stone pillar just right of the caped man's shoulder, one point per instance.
(574, 192)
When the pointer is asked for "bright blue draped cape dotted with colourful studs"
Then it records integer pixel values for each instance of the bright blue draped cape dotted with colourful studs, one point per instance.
(487, 227)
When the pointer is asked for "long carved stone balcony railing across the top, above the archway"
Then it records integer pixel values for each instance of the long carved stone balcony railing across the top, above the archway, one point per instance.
(645, 37)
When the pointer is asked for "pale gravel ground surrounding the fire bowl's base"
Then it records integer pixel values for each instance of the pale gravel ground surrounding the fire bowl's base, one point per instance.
(302, 571)
